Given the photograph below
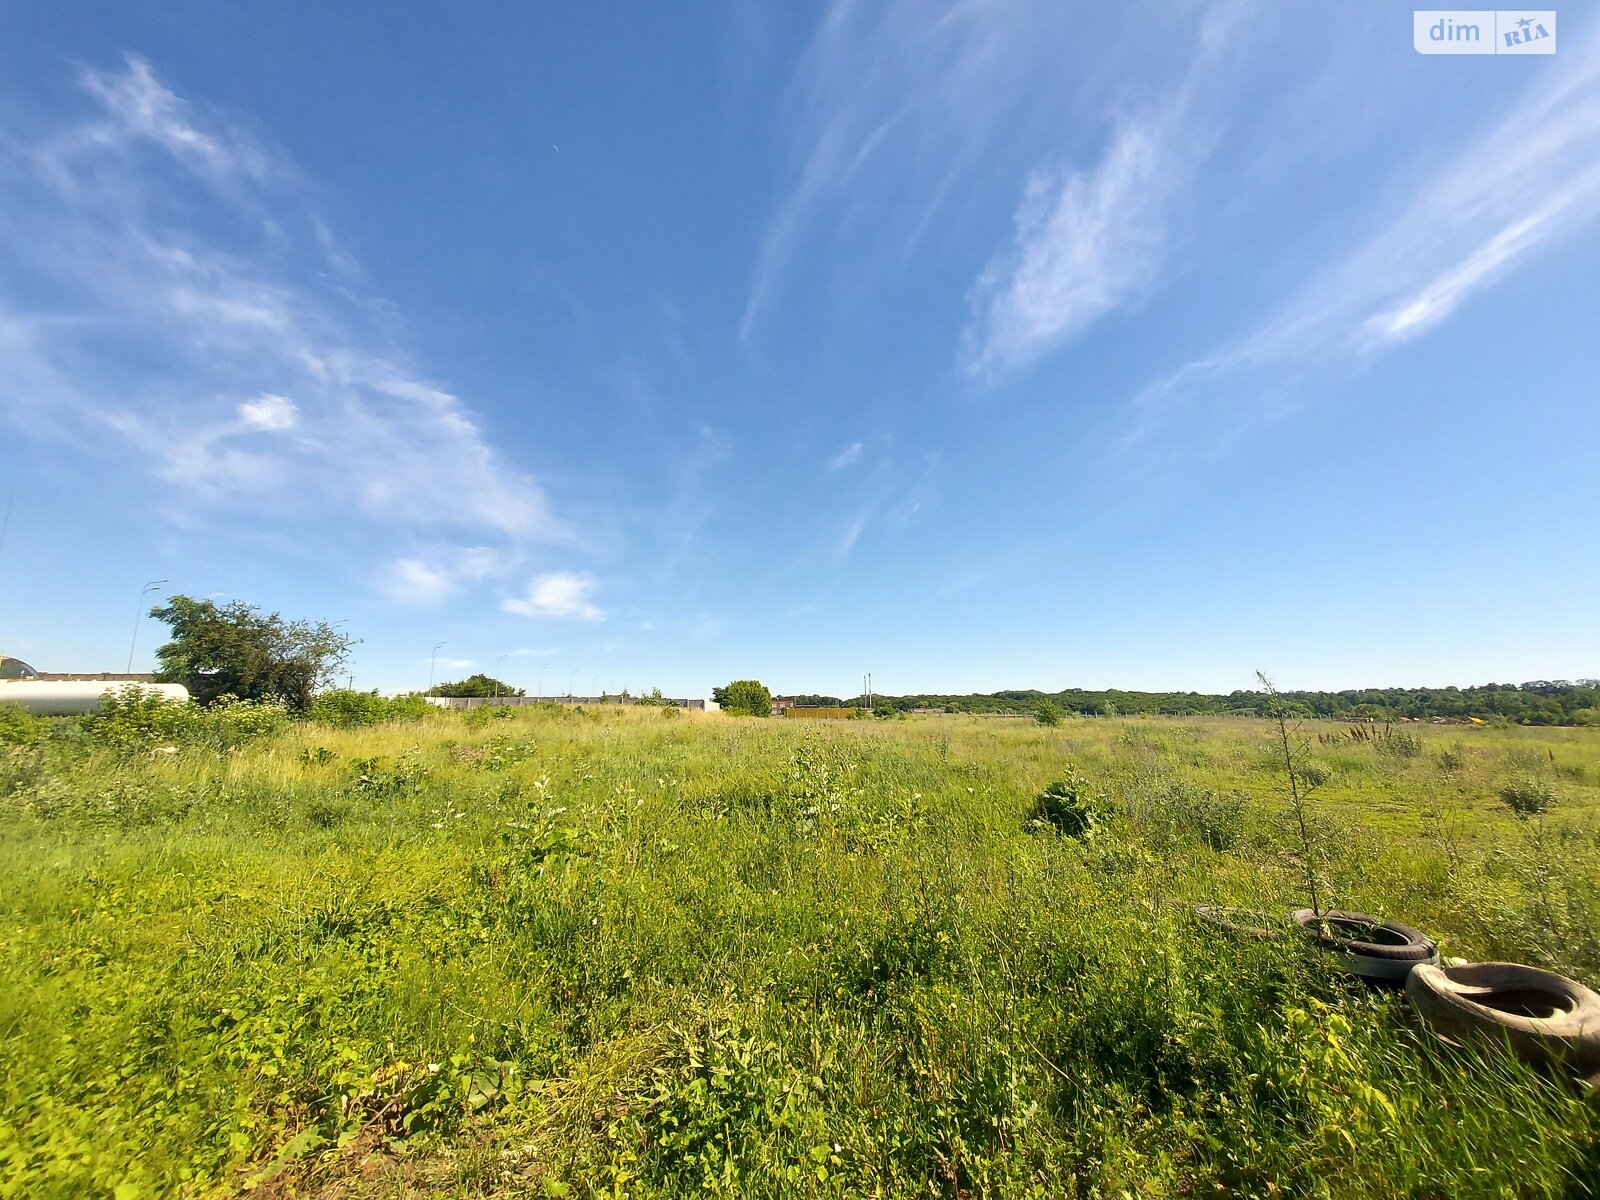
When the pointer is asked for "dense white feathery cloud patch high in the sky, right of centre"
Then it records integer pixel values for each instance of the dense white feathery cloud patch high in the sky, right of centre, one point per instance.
(1087, 242)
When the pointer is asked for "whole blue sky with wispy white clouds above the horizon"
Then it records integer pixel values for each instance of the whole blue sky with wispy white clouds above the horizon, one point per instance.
(977, 346)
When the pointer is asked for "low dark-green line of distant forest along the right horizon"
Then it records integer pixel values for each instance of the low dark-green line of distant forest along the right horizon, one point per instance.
(1538, 703)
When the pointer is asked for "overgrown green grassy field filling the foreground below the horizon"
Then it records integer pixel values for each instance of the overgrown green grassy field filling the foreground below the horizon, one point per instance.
(654, 954)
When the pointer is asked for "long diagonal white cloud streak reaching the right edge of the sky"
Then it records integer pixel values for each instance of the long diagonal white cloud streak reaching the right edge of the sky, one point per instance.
(1518, 188)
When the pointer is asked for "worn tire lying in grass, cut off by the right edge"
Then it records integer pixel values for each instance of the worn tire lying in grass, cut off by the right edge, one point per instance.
(1543, 1017)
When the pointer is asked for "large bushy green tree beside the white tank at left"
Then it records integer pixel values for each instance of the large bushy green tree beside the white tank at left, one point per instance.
(238, 650)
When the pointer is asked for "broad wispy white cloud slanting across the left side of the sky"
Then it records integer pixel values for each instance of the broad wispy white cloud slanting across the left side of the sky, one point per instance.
(262, 386)
